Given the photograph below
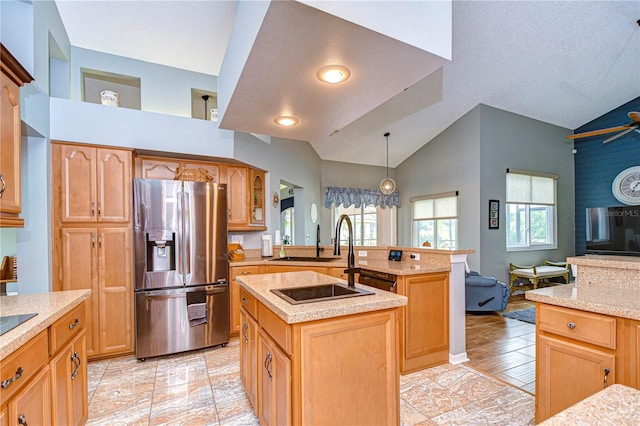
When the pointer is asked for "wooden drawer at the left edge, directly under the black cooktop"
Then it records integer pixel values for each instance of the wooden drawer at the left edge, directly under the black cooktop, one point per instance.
(20, 366)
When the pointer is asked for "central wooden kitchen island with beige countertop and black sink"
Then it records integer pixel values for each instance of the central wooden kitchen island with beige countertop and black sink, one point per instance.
(329, 362)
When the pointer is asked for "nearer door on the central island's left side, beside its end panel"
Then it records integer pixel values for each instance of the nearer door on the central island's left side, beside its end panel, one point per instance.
(274, 383)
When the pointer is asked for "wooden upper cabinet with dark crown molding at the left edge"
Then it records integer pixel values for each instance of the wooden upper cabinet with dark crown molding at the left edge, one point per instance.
(13, 76)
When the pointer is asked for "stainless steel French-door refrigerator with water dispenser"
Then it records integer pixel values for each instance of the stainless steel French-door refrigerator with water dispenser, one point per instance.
(181, 266)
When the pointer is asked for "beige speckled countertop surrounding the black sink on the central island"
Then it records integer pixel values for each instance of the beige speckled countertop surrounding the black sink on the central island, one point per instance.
(260, 286)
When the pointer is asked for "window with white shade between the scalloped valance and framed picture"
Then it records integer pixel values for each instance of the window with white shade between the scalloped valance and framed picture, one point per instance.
(435, 220)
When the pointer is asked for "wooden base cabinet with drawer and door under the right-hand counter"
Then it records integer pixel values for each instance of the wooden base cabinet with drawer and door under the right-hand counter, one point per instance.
(578, 353)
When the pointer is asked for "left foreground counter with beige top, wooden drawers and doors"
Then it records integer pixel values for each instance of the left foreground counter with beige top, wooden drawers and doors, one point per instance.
(43, 360)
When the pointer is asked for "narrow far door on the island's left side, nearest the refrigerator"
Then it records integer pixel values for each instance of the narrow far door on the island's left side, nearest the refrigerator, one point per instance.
(249, 356)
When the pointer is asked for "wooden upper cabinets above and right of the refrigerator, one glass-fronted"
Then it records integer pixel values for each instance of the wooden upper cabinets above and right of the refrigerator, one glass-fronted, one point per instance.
(245, 187)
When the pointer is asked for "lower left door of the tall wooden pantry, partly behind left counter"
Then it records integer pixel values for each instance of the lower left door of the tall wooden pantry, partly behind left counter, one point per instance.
(80, 271)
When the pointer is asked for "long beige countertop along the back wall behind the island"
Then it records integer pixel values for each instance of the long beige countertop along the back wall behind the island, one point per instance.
(404, 267)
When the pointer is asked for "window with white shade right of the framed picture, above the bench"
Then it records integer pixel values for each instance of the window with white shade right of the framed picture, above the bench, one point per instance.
(530, 210)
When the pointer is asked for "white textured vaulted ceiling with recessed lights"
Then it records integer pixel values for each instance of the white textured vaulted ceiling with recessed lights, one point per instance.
(562, 62)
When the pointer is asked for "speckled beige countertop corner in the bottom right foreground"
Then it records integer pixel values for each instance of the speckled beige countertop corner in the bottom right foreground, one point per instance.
(615, 405)
